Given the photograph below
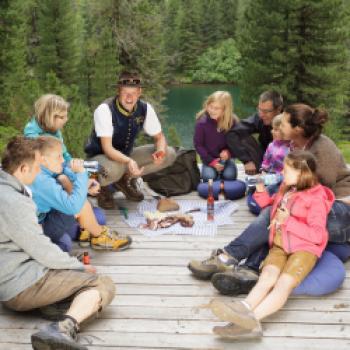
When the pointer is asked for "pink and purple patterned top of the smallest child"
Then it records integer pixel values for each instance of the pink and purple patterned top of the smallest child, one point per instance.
(274, 156)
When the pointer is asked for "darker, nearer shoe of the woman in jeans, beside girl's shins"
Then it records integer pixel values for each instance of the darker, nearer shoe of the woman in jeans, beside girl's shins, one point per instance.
(235, 282)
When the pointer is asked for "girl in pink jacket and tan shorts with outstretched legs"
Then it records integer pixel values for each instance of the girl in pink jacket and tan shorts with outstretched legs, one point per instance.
(298, 236)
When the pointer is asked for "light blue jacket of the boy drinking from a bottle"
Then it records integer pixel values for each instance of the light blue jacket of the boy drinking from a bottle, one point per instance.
(48, 194)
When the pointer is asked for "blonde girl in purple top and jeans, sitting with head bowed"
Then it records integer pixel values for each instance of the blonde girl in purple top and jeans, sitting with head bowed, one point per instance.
(213, 122)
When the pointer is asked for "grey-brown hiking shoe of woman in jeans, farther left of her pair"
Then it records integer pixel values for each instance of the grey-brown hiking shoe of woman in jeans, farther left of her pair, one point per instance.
(219, 261)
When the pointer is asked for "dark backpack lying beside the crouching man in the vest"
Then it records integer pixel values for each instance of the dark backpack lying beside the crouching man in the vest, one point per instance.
(179, 178)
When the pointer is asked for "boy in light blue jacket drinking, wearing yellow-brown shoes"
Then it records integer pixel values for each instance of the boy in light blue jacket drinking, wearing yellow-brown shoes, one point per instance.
(58, 209)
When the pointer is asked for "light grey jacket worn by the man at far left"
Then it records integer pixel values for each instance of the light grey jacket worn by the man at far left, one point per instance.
(26, 254)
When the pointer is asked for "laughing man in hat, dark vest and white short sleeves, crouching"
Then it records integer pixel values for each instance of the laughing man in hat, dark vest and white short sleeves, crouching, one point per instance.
(117, 122)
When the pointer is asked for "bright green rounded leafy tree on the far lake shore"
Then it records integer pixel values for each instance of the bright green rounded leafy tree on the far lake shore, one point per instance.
(218, 64)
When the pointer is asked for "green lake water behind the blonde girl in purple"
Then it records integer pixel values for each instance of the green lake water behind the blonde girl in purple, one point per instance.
(183, 102)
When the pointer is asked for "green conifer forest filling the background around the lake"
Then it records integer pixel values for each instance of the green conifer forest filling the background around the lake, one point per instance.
(77, 48)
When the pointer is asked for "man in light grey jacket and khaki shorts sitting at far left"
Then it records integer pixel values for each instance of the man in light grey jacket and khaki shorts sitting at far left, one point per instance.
(34, 272)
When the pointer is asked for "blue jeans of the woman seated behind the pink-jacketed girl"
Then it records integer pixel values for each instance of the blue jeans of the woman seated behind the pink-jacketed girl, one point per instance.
(252, 243)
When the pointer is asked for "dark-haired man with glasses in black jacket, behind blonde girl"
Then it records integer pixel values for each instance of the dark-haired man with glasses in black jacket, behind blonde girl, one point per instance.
(240, 141)
